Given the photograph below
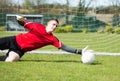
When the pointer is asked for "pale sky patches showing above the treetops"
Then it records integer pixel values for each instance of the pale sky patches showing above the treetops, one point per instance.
(73, 2)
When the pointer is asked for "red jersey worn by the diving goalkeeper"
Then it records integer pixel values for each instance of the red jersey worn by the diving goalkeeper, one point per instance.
(36, 37)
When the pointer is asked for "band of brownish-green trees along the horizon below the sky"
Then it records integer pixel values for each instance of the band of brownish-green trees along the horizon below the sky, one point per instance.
(7, 6)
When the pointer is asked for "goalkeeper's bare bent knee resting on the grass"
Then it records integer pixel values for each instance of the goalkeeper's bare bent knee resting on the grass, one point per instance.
(12, 57)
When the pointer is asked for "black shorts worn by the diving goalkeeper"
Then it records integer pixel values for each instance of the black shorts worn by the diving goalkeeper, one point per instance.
(10, 44)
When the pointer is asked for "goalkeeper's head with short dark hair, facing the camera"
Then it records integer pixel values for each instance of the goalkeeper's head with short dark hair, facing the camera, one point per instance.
(51, 26)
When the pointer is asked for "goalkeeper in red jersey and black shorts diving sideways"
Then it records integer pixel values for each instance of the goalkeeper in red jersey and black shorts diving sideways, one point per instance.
(37, 37)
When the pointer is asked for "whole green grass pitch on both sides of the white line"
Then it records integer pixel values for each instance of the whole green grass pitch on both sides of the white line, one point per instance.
(48, 67)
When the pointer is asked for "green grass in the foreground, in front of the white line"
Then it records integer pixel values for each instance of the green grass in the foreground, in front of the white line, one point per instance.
(36, 67)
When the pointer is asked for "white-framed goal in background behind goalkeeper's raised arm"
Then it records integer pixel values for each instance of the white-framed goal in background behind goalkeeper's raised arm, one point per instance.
(12, 24)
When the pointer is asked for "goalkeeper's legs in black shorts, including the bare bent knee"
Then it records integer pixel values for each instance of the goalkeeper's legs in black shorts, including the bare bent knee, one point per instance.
(14, 52)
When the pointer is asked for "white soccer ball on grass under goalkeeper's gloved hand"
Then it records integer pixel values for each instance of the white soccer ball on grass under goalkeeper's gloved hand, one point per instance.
(88, 57)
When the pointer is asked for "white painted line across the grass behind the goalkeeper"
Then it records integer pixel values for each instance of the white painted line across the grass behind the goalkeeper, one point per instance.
(63, 52)
